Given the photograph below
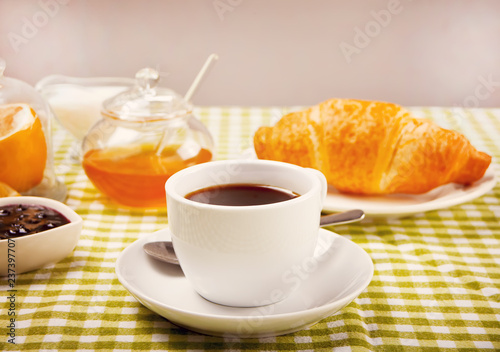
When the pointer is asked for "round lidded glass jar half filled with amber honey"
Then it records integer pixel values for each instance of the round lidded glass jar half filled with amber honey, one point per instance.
(146, 134)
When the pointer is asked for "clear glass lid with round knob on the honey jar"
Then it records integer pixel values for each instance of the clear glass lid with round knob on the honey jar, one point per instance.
(146, 101)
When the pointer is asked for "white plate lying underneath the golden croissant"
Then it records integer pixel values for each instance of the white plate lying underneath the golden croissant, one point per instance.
(399, 205)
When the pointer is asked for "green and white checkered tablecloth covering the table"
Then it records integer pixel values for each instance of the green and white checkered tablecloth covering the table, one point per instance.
(436, 284)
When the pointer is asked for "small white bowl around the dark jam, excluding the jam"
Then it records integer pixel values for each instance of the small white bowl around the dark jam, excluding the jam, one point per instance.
(34, 251)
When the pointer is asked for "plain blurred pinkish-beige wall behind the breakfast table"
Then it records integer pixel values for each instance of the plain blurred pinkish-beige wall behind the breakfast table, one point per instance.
(272, 52)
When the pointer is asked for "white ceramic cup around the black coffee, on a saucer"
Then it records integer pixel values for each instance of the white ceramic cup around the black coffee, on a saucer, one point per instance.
(244, 256)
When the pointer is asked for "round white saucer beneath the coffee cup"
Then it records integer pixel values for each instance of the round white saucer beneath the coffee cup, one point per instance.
(342, 272)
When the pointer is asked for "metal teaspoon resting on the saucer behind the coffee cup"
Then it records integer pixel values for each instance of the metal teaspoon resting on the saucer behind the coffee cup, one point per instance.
(164, 250)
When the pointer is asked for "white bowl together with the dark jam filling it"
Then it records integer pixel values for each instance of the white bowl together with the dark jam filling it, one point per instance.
(35, 232)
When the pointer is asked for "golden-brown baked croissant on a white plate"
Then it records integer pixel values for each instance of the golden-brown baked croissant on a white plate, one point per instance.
(372, 148)
